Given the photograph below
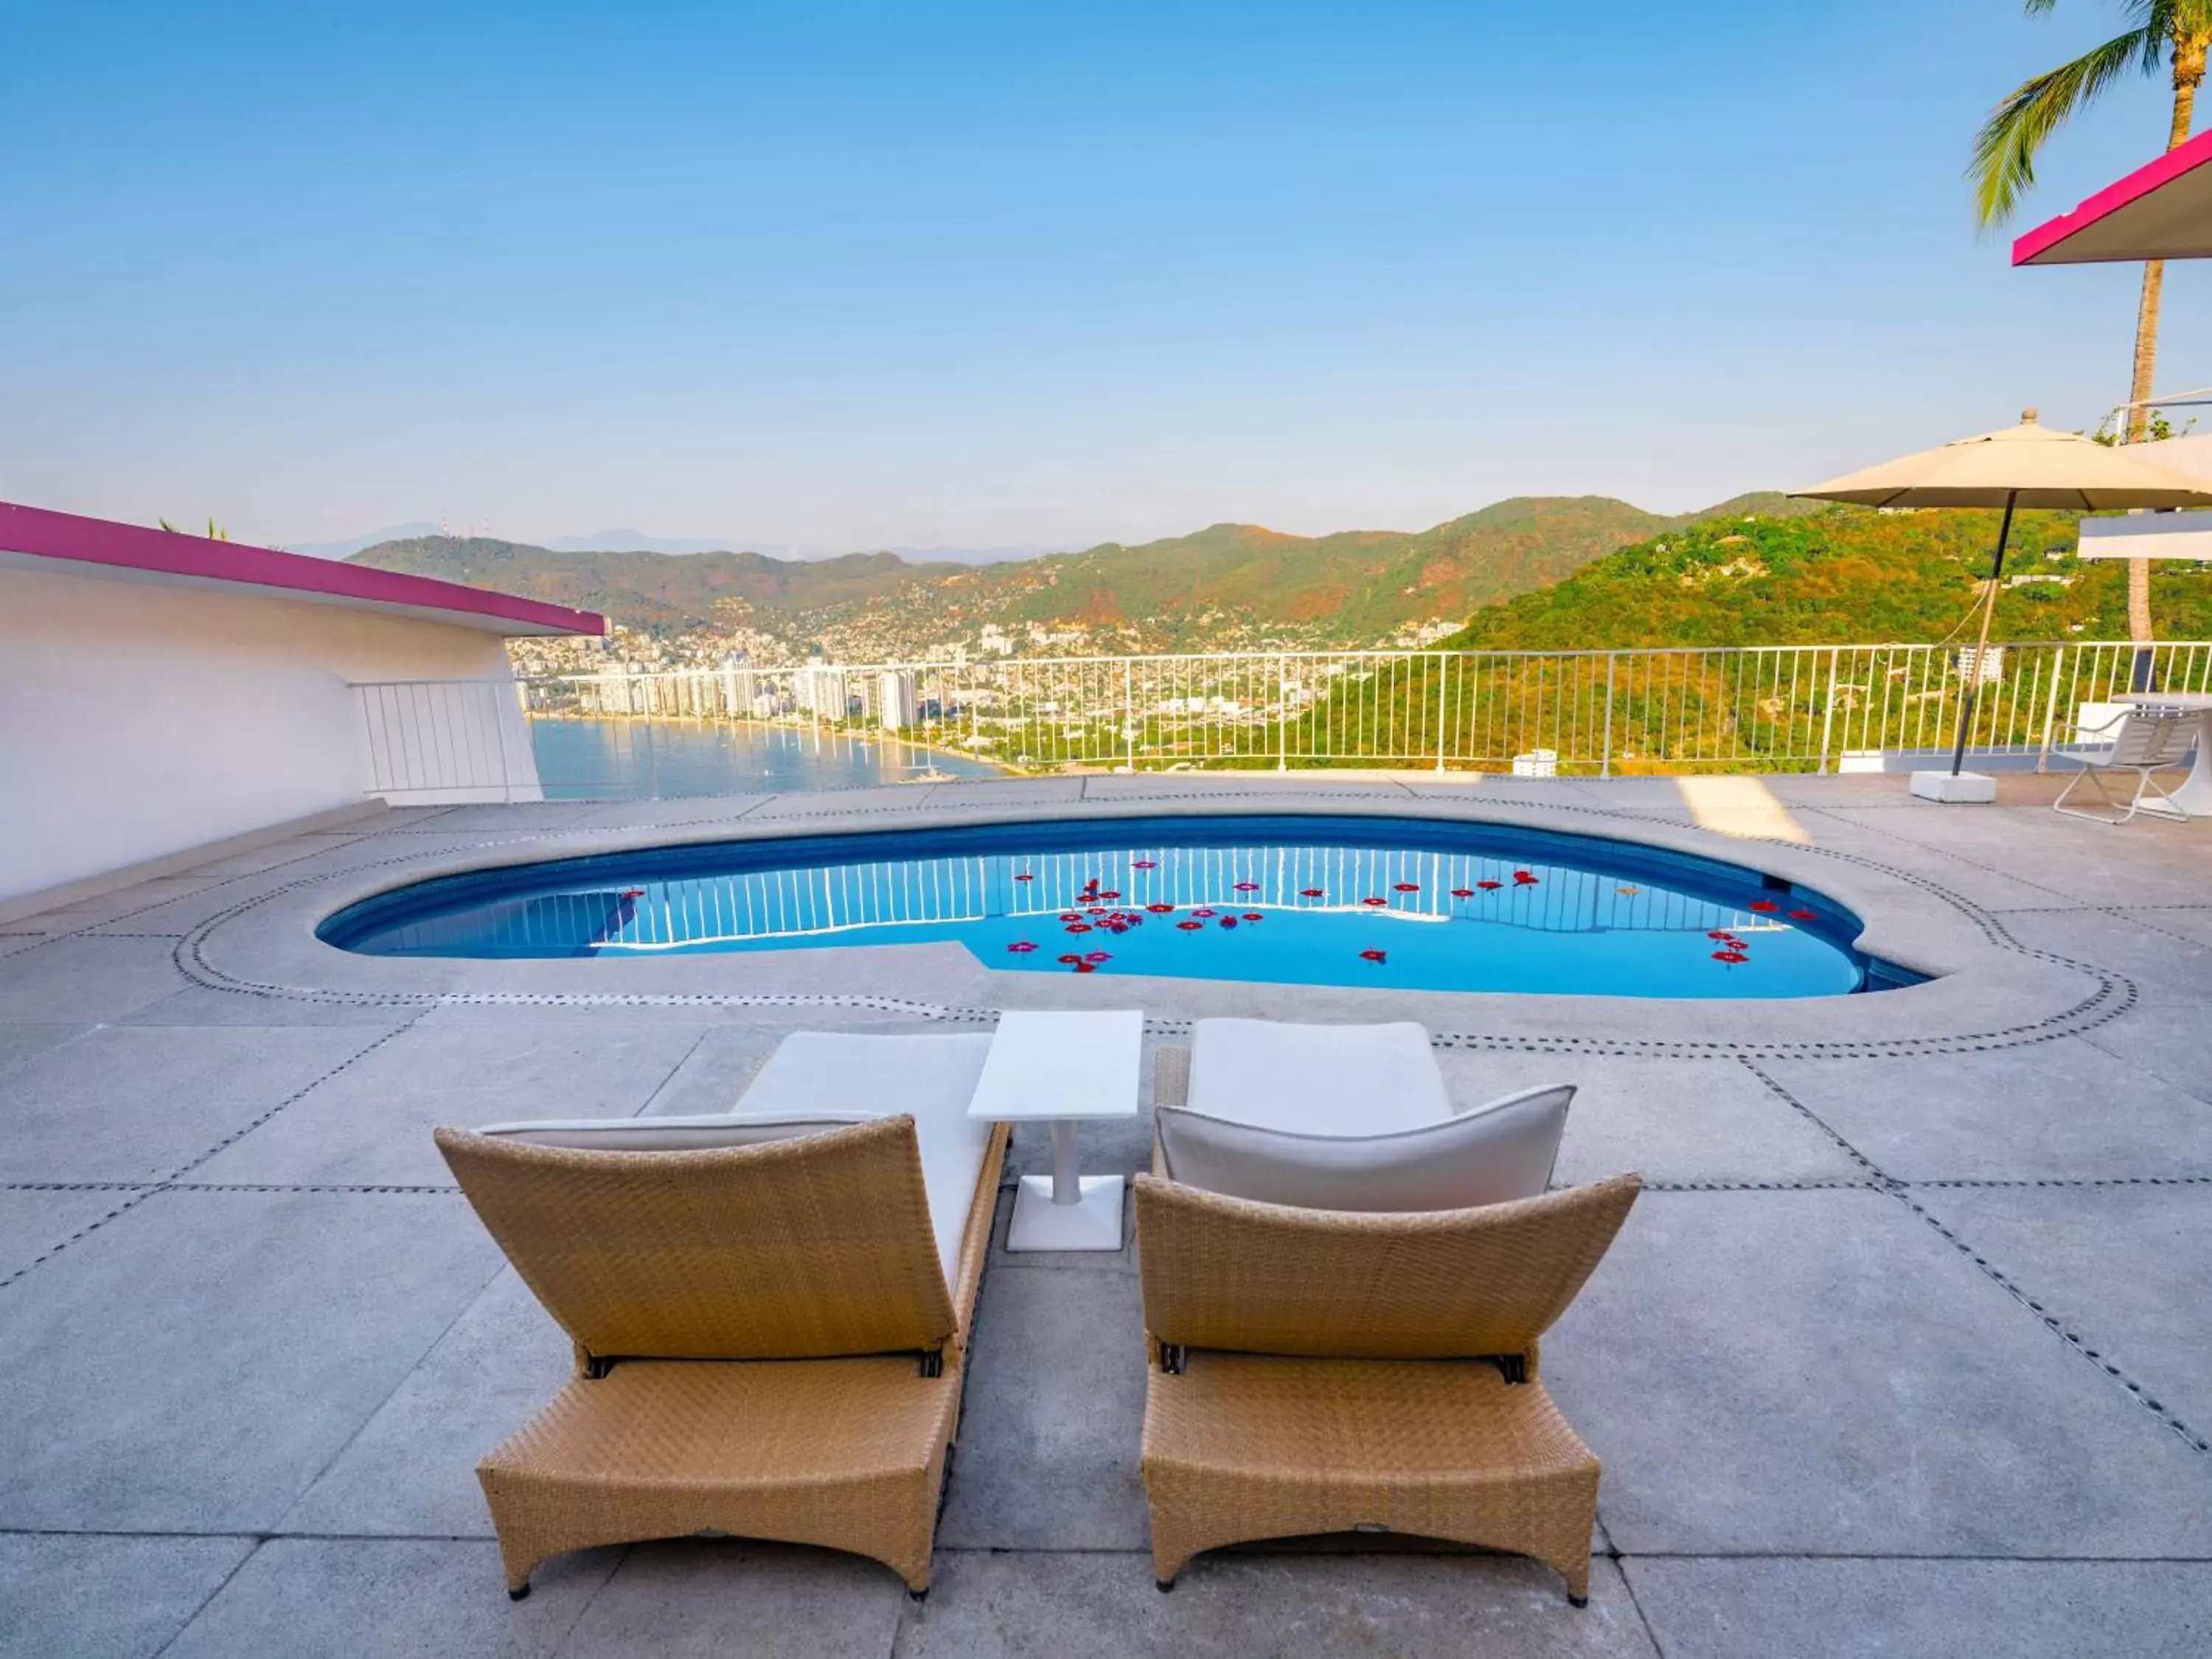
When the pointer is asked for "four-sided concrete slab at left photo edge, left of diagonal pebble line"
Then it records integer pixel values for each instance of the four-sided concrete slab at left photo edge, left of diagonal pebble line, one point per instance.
(140, 1105)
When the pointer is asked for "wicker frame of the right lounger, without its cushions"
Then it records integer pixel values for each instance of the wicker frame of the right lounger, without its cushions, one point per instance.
(1331, 1373)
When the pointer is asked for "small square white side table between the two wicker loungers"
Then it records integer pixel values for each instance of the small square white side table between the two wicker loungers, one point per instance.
(1061, 1070)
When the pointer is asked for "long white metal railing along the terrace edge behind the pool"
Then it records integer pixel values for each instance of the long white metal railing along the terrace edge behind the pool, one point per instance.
(1589, 713)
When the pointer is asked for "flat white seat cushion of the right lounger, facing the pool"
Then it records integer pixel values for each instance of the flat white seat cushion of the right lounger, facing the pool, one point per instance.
(1317, 1081)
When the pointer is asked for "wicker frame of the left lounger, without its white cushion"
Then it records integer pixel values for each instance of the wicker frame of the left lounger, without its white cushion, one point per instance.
(742, 1366)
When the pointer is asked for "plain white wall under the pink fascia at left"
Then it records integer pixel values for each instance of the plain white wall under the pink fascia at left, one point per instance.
(140, 720)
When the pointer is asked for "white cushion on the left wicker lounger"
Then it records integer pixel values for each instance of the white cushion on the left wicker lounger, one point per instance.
(820, 1081)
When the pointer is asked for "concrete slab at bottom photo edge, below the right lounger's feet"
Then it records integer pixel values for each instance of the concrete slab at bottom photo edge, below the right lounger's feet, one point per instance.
(1266, 1607)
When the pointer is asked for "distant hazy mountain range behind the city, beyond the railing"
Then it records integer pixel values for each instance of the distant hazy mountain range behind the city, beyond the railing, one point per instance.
(1229, 585)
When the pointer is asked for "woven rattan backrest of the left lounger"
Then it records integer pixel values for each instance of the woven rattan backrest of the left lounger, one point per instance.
(806, 1249)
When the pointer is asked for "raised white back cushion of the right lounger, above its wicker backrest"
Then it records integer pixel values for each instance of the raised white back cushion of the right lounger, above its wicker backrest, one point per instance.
(1485, 1156)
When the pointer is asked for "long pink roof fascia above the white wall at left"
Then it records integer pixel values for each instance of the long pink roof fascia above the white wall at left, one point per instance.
(132, 550)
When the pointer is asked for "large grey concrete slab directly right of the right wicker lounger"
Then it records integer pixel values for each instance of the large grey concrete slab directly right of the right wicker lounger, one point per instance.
(1822, 1373)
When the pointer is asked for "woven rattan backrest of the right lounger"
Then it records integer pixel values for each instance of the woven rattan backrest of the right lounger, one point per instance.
(1452, 1284)
